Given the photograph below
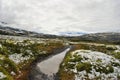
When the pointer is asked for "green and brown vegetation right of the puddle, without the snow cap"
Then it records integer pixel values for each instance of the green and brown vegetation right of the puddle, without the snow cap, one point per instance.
(75, 63)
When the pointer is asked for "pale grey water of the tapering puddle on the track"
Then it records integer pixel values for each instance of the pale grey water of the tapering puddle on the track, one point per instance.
(51, 65)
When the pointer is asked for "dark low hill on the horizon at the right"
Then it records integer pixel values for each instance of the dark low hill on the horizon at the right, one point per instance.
(112, 37)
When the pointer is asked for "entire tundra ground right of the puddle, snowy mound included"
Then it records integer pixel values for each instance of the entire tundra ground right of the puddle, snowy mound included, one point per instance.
(91, 61)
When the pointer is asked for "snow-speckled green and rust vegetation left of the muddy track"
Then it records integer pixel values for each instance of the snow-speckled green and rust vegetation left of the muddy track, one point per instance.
(17, 56)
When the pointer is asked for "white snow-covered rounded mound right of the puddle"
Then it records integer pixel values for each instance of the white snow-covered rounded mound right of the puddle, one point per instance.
(103, 66)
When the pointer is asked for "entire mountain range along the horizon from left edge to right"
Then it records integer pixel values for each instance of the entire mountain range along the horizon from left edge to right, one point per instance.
(112, 37)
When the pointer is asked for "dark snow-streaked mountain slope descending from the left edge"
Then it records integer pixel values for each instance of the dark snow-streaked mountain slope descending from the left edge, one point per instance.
(8, 30)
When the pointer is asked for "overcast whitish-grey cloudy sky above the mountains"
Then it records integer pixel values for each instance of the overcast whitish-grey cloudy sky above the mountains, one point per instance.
(57, 16)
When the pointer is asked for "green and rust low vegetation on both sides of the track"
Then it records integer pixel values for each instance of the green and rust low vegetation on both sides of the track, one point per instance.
(16, 57)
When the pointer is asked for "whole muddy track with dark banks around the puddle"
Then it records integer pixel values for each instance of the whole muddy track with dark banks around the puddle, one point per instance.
(46, 67)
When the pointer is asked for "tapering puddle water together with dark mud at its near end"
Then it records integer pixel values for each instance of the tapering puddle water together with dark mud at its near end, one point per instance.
(47, 69)
